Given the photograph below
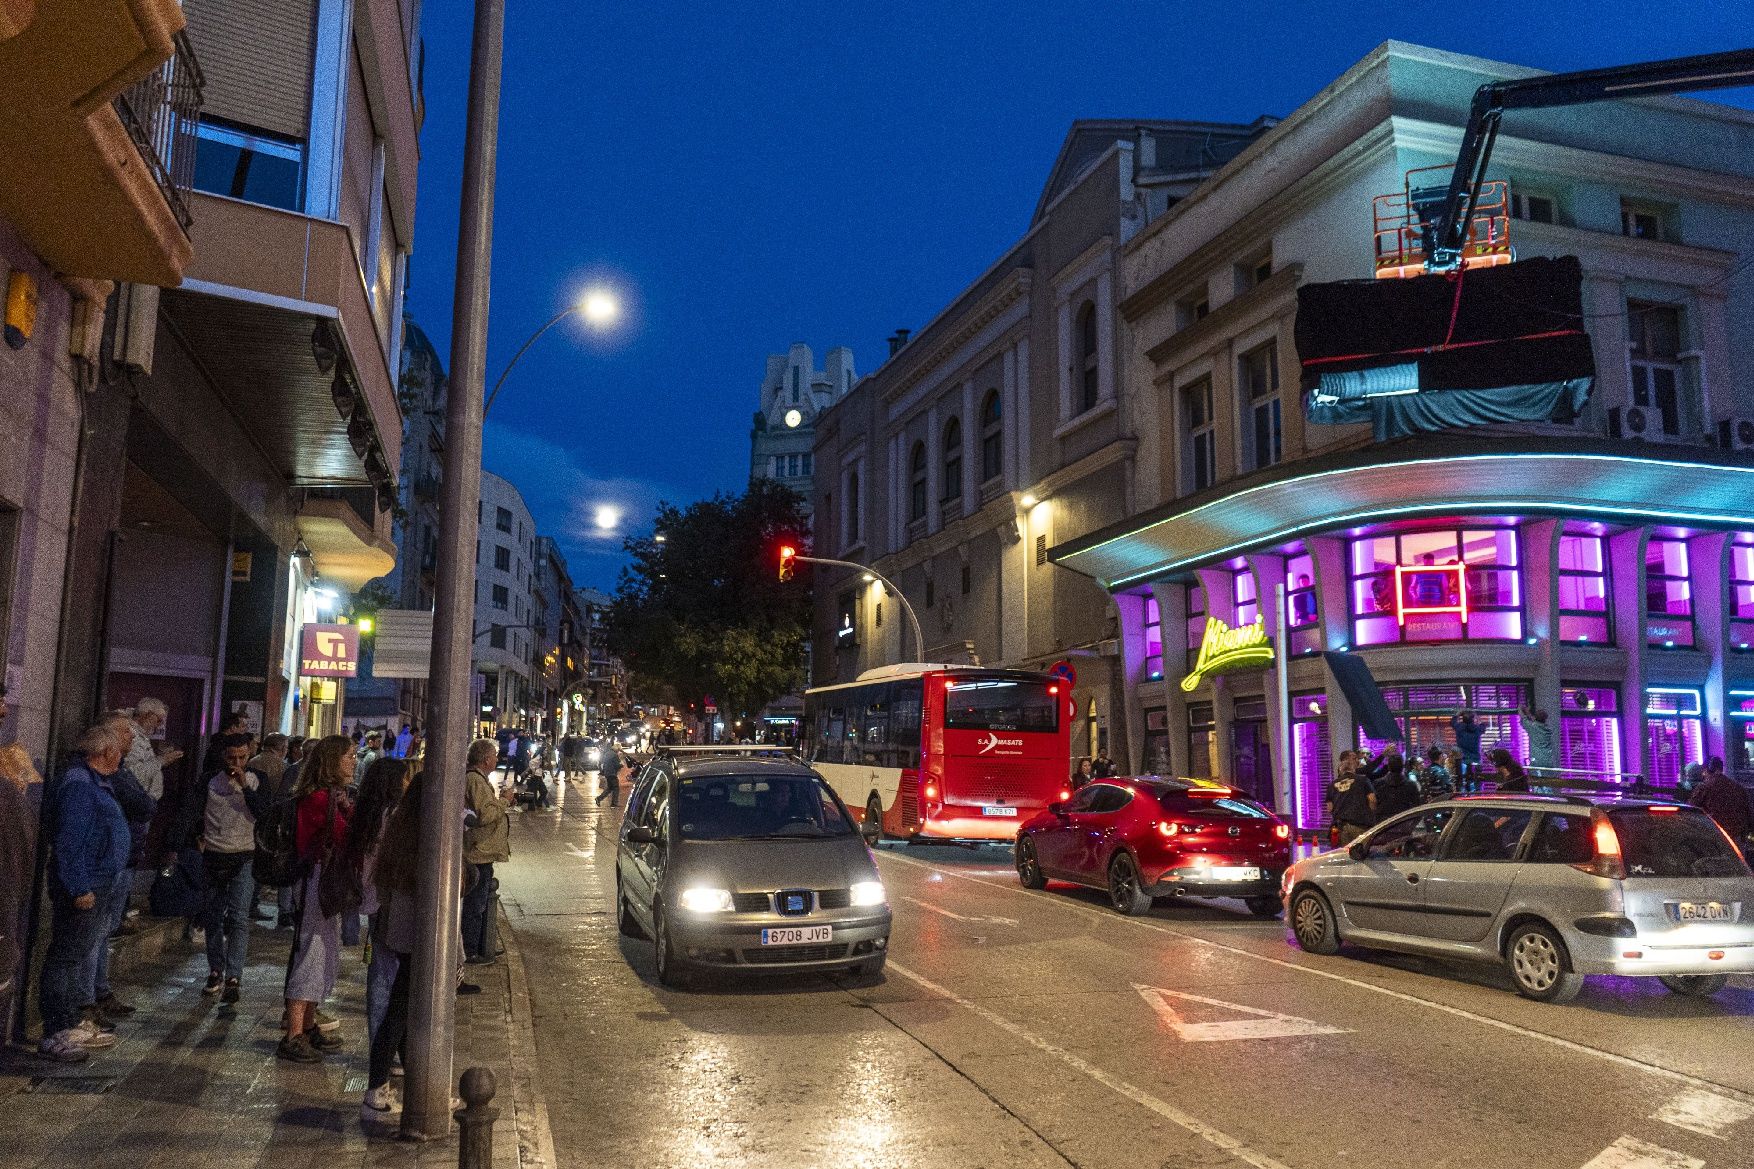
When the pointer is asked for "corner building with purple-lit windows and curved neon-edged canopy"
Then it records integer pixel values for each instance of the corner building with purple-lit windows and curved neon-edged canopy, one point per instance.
(1595, 564)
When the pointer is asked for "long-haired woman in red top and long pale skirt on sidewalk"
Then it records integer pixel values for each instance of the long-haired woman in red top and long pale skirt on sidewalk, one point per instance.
(324, 812)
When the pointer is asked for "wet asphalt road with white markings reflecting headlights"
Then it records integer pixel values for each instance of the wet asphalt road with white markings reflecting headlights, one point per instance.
(1043, 1029)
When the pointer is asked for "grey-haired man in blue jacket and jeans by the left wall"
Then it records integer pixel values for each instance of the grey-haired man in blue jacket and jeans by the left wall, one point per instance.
(90, 849)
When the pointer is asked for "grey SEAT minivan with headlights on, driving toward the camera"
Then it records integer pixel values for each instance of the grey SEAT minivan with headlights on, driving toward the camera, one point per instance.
(738, 864)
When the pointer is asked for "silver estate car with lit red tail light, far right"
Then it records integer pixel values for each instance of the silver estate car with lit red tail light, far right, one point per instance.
(1553, 887)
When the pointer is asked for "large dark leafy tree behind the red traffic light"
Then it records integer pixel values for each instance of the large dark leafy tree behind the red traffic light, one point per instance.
(702, 613)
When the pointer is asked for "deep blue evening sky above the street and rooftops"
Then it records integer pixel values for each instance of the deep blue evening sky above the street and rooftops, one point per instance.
(757, 175)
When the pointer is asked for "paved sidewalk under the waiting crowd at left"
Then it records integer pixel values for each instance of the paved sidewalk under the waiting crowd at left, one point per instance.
(196, 1086)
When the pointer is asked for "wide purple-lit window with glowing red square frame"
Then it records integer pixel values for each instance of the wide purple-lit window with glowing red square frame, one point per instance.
(1444, 585)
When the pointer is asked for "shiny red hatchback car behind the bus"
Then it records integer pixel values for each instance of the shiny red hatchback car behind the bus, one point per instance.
(1148, 838)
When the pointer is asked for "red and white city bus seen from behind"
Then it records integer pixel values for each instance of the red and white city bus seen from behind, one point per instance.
(943, 752)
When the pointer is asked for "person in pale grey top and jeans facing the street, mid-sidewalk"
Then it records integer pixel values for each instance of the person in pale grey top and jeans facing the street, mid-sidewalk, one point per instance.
(224, 814)
